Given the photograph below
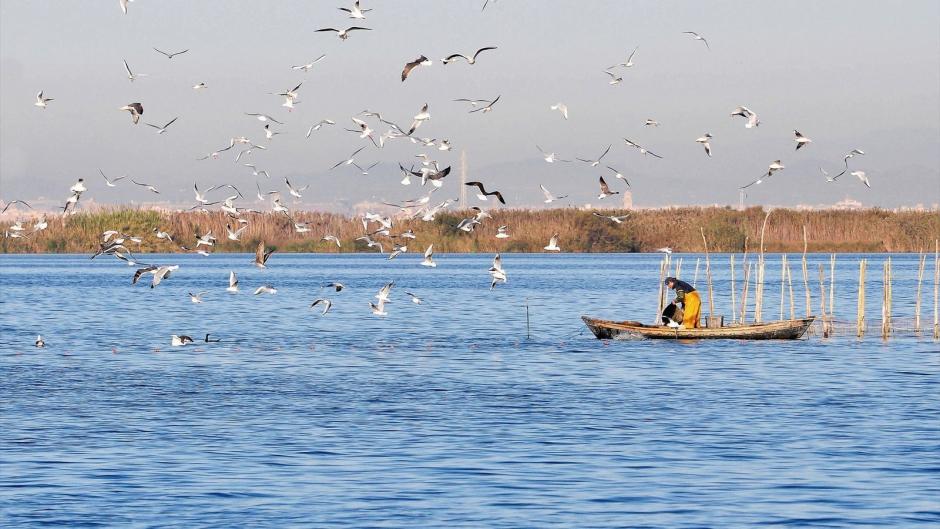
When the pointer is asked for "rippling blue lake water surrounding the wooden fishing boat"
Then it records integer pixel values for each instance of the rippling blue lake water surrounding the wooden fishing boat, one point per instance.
(446, 414)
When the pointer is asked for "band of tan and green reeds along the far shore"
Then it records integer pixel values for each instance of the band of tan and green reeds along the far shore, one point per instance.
(580, 231)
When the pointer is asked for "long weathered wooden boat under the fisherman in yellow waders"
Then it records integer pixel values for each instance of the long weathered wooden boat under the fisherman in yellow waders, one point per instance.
(775, 330)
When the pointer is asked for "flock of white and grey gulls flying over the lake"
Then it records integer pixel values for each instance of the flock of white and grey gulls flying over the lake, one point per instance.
(377, 229)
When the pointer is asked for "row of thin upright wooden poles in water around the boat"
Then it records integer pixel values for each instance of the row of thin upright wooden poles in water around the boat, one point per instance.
(786, 286)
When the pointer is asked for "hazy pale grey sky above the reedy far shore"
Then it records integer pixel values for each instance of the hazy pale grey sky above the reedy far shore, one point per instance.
(848, 74)
